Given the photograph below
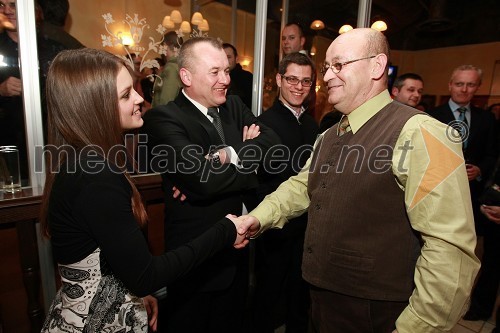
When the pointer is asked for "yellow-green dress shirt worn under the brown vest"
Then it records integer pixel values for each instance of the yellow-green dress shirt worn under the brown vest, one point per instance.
(428, 166)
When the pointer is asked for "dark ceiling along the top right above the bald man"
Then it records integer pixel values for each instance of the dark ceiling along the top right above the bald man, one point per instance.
(413, 24)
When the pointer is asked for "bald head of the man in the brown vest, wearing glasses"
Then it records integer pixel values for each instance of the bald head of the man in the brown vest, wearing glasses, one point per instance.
(357, 64)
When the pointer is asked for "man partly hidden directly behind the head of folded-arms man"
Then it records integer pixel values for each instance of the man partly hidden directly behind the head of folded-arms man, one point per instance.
(241, 80)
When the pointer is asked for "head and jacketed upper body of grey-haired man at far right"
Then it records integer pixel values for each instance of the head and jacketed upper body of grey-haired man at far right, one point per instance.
(477, 131)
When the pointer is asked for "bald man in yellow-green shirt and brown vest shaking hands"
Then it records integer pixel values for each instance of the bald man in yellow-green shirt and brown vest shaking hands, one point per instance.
(390, 239)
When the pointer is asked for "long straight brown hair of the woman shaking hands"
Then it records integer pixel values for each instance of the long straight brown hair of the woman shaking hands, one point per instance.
(83, 111)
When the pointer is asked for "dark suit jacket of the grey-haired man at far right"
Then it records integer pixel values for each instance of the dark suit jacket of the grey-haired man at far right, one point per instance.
(481, 150)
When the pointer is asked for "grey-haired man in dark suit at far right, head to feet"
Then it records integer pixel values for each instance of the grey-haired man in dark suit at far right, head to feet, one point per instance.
(480, 148)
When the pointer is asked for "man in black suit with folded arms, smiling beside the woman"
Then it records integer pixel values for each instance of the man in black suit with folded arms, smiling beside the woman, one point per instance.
(206, 173)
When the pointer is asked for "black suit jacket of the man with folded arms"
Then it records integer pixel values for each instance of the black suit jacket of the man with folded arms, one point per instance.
(180, 136)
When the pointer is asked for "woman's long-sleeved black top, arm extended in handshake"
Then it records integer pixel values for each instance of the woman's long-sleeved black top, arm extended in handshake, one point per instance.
(90, 209)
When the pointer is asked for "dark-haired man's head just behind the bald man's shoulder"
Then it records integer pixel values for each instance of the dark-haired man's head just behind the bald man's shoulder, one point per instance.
(407, 89)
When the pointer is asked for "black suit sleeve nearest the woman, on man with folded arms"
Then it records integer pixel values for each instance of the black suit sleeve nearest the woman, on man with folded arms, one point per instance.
(173, 150)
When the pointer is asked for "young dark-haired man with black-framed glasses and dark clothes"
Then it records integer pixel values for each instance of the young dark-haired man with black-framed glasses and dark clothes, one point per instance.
(279, 252)
